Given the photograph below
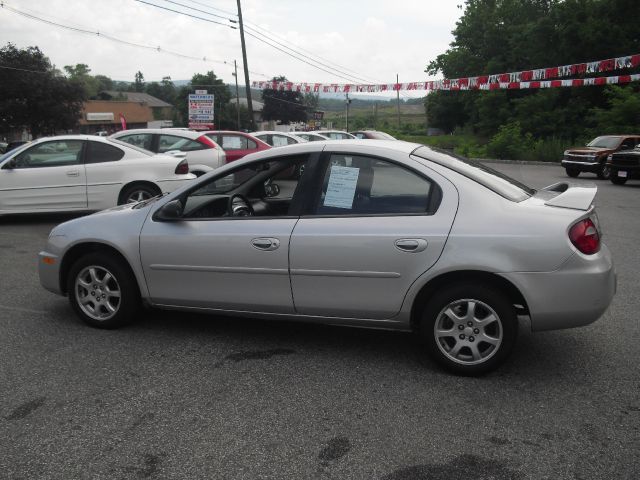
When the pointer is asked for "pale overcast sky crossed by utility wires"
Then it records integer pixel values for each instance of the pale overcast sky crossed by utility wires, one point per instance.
(367, 40)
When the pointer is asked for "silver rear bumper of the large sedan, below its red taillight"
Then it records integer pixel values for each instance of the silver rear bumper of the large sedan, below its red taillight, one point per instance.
(576, 294)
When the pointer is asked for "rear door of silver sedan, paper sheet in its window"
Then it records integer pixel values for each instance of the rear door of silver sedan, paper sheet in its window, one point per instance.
(375, 226)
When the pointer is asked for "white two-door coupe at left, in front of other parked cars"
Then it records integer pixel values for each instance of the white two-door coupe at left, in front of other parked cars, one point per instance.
(84, 172)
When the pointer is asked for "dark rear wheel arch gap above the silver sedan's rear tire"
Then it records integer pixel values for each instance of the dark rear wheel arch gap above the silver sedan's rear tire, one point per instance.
(466, 276)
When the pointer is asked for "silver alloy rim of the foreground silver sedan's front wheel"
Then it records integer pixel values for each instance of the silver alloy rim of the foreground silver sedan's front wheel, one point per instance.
(98, 293)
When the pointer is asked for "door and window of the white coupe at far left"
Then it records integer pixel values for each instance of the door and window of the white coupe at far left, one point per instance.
(48, 176)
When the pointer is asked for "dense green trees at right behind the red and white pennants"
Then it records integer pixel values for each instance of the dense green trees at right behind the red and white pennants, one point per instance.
(497, 36)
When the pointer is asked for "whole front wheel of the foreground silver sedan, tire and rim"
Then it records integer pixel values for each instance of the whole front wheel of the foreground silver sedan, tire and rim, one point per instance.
(102, 308)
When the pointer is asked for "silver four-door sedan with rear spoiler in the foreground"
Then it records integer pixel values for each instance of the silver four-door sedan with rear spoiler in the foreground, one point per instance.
(388, 234)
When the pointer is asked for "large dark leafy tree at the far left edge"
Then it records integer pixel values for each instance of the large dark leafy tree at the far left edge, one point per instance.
(34, 95)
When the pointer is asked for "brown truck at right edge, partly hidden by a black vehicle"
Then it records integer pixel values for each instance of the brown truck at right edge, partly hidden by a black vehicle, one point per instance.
(593, 157)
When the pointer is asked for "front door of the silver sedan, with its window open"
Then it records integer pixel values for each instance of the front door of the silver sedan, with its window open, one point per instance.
(229, 249)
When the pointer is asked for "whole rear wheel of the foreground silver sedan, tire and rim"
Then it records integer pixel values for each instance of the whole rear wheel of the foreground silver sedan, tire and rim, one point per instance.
(492, 341)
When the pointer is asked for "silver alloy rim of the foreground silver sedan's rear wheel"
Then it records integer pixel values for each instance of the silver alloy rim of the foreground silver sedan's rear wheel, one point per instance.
(468, 332)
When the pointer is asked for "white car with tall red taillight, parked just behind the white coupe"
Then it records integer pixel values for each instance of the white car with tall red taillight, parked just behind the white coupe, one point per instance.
(203, 154)
